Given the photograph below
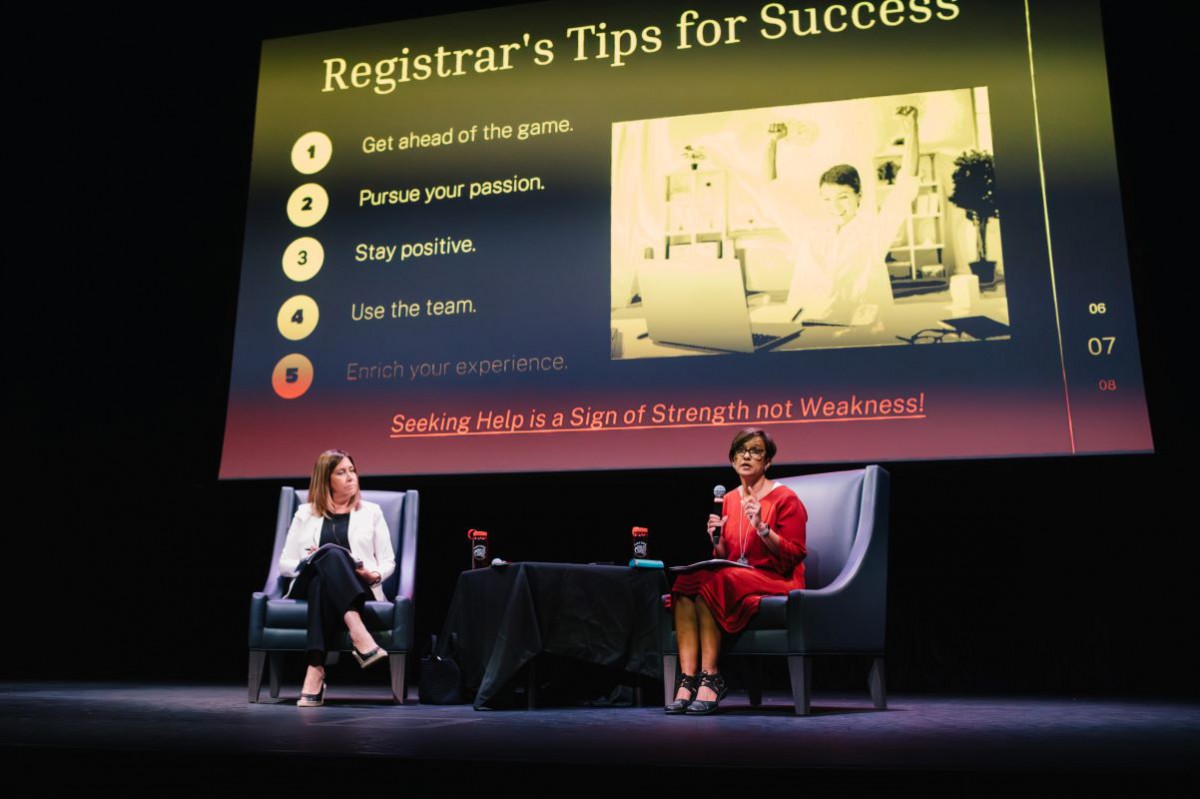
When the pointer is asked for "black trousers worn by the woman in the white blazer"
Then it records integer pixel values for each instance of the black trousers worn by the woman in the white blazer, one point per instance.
(333, 588)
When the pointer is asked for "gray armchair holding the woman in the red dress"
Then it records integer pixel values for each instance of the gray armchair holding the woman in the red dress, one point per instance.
(844, 608)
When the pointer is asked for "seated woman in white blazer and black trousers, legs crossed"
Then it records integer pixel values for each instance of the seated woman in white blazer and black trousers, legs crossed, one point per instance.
(339, 551)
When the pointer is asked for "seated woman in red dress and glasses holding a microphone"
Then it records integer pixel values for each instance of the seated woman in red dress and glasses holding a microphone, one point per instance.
(763, 526)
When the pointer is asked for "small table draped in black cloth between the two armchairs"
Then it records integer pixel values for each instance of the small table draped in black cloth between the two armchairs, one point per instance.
(505, 616)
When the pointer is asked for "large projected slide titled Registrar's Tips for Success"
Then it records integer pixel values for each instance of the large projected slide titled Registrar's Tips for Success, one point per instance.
(563, 237)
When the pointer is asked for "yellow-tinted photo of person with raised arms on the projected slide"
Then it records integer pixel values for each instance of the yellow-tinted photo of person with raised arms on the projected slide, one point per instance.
(855, 224)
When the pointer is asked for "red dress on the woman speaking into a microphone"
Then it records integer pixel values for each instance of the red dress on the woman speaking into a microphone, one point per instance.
(734, 594)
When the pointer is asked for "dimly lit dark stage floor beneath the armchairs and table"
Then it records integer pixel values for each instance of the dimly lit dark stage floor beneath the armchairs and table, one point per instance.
(1108, 743)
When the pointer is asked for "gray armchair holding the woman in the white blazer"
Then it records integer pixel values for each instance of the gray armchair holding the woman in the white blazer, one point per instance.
(279, 626)
